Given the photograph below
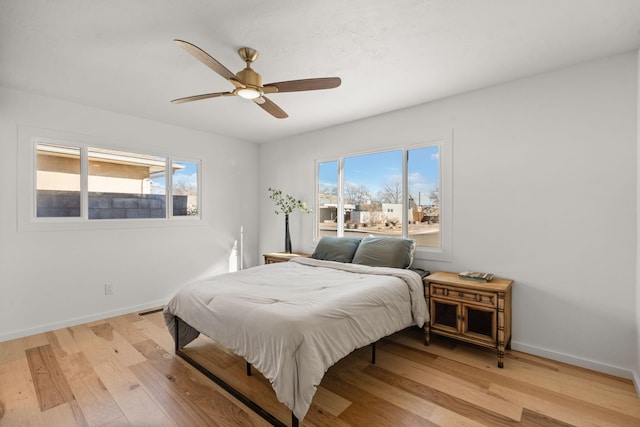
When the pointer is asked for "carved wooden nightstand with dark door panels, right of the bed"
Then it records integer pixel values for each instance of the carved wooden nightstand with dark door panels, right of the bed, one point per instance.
(475, 312)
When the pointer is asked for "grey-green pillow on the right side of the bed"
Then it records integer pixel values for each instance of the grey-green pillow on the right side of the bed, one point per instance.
(385, 252)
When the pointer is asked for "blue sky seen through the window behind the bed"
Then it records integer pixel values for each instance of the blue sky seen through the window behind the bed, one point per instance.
(377, 170)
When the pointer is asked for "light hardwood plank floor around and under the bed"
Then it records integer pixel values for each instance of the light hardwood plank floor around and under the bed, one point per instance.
(122, 372)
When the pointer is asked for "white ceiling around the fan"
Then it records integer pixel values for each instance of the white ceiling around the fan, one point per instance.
(119, 55)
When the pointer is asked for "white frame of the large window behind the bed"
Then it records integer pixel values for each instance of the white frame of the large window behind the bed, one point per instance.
(442, 253)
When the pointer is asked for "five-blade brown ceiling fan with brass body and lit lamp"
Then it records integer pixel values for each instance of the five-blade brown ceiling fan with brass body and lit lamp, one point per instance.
(248, 83)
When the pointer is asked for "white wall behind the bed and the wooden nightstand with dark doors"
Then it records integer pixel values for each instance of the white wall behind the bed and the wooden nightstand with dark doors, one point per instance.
(544, 192)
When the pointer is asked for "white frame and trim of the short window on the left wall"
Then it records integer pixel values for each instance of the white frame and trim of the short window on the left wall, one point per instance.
(29, 136)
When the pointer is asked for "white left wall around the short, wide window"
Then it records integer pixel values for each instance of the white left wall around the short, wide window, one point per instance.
(50, 279)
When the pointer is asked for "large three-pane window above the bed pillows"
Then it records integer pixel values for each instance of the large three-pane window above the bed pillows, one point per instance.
(394, 193)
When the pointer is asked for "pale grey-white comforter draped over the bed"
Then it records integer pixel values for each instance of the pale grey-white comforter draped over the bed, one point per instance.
(293, 320)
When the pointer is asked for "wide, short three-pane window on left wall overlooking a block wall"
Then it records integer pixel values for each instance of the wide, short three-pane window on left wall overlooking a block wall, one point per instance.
(99, 184)
